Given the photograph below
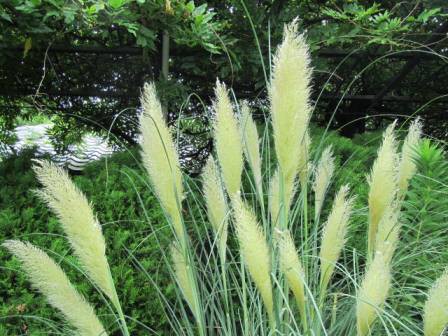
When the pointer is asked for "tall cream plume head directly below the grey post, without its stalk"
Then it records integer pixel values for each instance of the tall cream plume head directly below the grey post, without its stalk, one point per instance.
(160, 157)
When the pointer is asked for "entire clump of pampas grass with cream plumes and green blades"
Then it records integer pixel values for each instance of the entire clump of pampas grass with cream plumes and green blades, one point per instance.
(238, 269)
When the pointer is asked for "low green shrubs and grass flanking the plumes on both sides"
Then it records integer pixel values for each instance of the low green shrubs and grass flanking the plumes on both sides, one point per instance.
(420, 256)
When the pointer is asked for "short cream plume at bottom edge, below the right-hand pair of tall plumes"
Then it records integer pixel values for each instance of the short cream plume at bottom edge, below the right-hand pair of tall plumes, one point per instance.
(373, 294)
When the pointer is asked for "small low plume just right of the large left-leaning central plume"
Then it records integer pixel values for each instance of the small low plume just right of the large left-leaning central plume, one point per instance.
(292, 268)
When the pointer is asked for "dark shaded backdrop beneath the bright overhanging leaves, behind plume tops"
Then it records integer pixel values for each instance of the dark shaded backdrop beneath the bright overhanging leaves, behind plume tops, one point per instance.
(92, 84)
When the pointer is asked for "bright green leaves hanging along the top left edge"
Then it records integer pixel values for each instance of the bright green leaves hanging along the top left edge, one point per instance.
(40, 19)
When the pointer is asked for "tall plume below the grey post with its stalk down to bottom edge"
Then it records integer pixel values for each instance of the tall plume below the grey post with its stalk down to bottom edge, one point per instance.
(162, 163)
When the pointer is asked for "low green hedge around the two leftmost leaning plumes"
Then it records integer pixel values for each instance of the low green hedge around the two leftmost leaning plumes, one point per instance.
(118, 195)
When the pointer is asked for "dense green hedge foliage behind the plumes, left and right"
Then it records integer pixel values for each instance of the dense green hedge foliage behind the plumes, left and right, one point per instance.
(119, 193)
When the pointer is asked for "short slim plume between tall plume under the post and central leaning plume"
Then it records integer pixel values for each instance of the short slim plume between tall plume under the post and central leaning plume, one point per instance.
(216, 202)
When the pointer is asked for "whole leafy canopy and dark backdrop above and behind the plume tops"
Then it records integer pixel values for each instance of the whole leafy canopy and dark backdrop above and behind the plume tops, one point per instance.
(82, 63)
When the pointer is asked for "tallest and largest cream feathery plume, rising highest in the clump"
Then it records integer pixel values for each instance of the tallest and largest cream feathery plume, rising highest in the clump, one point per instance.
(289, 96)
